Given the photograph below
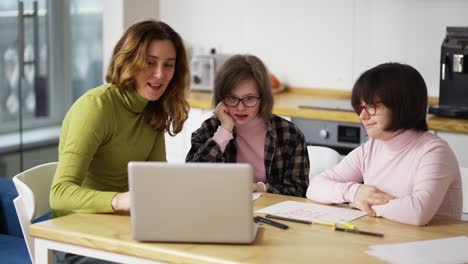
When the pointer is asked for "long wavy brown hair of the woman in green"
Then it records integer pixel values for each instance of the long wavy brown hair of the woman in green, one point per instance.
(170, 111)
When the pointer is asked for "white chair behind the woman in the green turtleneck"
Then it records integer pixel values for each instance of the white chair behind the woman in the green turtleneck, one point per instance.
(33, 187)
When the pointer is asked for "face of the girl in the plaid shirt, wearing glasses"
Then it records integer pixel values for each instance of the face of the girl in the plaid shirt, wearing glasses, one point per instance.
(243, 114)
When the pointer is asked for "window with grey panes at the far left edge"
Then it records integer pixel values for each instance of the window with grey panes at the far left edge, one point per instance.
(23, 79)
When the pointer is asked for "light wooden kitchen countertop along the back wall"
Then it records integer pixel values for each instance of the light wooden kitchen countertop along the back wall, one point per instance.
(287, 104)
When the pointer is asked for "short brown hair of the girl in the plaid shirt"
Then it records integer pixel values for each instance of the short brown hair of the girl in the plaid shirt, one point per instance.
(239, 68)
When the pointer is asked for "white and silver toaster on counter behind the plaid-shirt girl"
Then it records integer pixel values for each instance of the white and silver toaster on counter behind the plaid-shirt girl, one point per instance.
(203, 69)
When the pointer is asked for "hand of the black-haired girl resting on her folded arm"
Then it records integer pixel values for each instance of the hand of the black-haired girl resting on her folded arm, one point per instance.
(368, 195)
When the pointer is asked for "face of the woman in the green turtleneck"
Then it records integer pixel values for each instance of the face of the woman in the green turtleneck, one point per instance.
(152, 81)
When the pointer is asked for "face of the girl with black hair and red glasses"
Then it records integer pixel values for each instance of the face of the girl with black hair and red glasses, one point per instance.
(376, 118)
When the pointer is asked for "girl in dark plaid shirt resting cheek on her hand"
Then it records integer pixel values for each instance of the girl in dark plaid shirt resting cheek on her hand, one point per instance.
(244, 130)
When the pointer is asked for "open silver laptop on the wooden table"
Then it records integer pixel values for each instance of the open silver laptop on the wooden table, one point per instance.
(191, 202)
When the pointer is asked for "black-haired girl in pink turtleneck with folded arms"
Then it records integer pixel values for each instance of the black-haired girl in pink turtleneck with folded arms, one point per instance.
(403, 172)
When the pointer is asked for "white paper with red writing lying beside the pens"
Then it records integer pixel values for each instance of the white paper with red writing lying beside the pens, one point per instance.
(312, 212)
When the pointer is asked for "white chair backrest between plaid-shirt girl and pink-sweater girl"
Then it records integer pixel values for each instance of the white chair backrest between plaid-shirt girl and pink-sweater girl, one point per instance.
(321, 158)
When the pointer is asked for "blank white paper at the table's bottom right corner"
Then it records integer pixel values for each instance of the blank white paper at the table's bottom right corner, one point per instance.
(446, 250)
